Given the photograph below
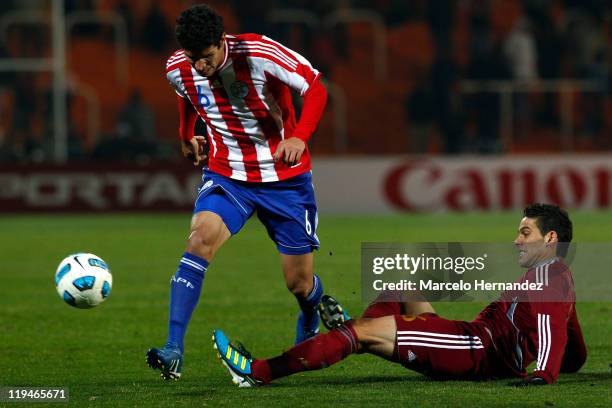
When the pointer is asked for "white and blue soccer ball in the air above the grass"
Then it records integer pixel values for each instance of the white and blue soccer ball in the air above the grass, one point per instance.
(83, 280)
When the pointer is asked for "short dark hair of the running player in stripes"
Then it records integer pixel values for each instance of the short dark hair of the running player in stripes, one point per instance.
(198, 28)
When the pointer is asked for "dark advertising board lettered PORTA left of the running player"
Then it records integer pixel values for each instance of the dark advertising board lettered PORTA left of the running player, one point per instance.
(97, 188)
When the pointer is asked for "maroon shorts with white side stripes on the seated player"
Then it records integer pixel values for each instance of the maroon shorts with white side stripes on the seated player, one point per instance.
(444, 349)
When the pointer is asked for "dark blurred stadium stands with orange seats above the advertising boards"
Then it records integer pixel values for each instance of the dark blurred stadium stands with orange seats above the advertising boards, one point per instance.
(408, 97)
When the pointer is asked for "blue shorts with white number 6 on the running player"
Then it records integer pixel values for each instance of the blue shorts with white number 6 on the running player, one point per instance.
(286, 208)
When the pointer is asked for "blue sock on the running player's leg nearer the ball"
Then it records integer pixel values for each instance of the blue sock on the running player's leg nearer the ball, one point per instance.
(185, 290)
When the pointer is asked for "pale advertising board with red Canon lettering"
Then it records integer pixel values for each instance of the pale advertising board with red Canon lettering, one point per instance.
(476, 183)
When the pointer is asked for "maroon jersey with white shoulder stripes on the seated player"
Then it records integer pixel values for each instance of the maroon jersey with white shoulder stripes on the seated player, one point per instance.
(539, 325)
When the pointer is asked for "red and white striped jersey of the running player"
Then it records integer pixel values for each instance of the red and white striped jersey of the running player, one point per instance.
(247, 105)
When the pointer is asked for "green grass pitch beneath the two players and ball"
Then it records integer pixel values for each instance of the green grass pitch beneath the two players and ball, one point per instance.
(99, 353)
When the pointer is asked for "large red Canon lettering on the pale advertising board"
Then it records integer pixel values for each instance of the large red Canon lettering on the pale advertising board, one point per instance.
(425, 185)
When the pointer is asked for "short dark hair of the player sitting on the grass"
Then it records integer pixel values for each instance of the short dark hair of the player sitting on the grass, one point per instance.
(551, 217)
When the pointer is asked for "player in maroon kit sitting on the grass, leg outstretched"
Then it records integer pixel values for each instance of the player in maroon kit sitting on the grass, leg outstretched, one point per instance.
(501, 342)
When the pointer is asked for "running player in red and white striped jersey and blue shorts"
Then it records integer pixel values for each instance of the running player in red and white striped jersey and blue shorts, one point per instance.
(257, 161)
